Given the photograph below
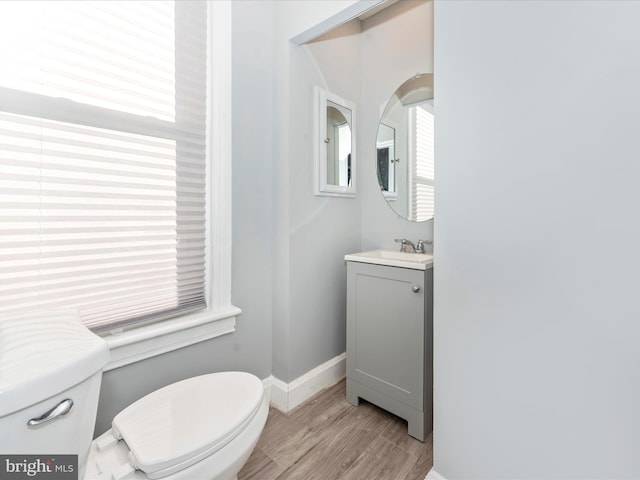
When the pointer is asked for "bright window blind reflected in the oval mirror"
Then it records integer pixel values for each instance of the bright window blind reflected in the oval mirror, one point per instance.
(422, 176)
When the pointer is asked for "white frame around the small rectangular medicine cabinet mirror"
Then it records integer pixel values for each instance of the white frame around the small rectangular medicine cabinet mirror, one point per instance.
(321, 99)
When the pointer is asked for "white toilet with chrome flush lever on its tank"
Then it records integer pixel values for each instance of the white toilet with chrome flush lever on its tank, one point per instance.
(201, 428)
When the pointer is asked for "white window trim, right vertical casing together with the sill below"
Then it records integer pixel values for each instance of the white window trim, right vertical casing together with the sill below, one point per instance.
(219, 318)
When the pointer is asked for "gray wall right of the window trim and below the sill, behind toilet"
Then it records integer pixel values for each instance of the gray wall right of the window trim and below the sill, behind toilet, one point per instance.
(249, 348)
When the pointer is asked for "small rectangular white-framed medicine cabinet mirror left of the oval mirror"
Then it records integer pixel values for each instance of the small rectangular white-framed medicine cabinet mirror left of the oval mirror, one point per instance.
(334, 145)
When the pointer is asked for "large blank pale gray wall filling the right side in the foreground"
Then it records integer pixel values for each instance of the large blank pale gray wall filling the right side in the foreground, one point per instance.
(536, 310)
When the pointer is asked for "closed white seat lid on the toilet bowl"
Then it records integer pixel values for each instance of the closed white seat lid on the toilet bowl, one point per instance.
(178, 425)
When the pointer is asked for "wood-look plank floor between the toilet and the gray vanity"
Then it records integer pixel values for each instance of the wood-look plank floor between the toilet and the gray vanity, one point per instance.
(327, 438)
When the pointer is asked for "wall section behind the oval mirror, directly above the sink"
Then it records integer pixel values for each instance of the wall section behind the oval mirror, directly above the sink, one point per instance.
(396, 44)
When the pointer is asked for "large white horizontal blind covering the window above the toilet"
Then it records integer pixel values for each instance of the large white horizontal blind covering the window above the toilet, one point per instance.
(102, 158)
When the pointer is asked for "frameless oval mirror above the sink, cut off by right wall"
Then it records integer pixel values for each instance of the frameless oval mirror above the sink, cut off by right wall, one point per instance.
(404, 147)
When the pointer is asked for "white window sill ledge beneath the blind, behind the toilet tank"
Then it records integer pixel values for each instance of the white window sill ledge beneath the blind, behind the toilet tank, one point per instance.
(155, 339)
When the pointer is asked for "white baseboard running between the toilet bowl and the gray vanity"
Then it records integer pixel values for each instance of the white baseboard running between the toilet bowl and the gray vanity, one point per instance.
(286, 396)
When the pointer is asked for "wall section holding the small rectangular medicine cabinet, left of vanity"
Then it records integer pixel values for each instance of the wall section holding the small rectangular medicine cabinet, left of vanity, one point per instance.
(322, 229)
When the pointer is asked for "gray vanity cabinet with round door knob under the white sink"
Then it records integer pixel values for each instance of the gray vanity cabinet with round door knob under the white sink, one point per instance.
(390, 341)
